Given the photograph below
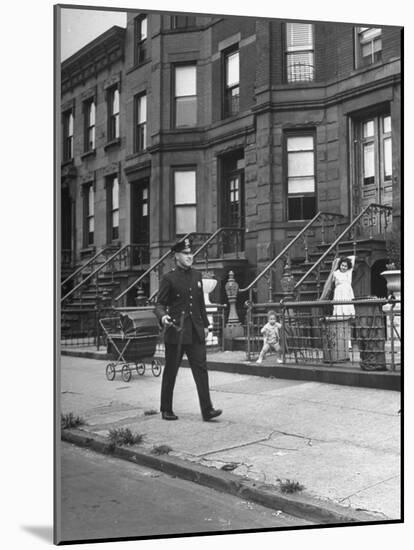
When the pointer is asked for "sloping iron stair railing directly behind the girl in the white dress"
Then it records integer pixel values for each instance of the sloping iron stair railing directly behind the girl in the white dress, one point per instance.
(374, 215)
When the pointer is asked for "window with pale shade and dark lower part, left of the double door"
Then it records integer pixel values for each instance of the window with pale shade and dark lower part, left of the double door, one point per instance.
(301, 177)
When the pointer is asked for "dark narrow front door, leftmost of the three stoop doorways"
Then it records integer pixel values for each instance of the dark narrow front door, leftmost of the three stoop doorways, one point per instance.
(140, 220)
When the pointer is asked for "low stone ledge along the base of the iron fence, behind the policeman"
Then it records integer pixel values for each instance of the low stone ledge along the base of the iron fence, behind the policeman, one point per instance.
(381, 380)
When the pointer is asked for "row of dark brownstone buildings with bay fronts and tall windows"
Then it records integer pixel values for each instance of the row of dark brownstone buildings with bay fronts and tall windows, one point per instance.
(188, 124)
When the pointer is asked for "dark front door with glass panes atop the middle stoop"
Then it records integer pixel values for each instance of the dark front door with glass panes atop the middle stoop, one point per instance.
(232, 211)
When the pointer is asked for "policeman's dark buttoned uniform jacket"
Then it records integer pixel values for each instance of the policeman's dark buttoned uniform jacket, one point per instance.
(182, 291)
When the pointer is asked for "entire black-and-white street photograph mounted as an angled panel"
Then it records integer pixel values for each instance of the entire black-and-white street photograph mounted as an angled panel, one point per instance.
(228, 223)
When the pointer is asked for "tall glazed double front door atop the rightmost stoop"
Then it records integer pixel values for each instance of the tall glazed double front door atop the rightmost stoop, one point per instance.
(373, 166)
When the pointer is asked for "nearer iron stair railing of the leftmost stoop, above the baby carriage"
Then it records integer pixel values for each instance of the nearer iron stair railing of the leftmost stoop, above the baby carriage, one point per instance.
(127, 257)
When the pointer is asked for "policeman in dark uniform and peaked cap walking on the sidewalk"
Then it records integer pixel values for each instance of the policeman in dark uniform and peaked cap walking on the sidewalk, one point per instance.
(181, 310)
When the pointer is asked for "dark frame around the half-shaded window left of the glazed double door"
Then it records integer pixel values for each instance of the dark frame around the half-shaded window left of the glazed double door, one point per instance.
(303, 195)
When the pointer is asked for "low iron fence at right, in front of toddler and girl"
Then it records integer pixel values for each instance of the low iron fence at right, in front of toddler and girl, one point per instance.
(311, 334)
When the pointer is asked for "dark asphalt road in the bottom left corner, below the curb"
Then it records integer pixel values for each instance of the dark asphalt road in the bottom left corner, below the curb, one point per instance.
(105, 497)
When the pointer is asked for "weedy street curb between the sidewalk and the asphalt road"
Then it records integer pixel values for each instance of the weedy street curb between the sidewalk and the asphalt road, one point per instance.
(300, 506)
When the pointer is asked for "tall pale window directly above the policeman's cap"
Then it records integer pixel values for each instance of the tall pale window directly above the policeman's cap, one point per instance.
(185, 201)
